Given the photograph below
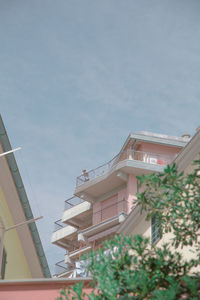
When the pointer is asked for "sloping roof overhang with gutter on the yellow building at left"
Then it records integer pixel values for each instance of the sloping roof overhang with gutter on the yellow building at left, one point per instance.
(28, 234)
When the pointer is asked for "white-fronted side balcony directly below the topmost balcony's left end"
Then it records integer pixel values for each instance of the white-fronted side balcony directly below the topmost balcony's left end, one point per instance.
(77, 213)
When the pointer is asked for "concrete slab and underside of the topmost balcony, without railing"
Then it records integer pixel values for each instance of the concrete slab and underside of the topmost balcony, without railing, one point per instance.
(113, 179)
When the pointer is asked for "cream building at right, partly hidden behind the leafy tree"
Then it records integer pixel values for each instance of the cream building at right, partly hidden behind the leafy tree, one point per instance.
(136, 222)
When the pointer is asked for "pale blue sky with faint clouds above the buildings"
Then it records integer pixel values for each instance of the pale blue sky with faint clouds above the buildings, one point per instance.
(77, 76)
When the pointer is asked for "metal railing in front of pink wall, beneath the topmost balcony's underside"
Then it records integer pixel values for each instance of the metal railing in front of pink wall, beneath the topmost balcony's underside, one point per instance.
(111, 211)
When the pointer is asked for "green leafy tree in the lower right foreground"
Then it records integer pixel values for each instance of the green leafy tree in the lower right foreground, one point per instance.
(131, 268)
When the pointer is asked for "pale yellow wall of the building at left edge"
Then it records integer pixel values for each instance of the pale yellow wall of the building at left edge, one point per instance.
(16, 266)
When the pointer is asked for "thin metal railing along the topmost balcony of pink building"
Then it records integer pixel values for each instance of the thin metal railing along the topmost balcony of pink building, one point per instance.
(147, 157)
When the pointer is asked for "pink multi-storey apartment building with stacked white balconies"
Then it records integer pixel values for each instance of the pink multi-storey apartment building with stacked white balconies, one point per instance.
(104, 197)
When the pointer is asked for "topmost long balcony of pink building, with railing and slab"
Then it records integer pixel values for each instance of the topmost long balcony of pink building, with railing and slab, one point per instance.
(115, 172)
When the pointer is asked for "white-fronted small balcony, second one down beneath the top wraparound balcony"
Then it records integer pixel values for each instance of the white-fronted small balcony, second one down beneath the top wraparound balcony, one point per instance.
(64, 236)
